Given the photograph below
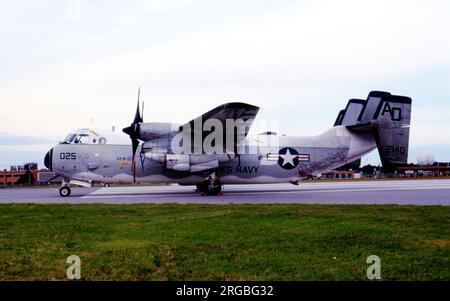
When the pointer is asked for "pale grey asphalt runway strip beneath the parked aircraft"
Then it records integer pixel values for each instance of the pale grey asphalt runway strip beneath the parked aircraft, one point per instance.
(406, 192)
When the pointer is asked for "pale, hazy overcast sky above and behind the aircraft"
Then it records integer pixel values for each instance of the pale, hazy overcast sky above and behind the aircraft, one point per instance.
(71, 64)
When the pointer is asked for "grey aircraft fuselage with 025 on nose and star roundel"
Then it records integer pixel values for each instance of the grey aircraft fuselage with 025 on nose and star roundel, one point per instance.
(292, 159)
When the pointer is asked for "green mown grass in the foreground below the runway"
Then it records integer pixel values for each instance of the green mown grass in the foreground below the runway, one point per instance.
(224, 242)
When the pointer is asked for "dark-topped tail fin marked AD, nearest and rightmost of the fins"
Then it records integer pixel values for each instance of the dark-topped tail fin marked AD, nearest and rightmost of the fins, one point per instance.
(388, 117)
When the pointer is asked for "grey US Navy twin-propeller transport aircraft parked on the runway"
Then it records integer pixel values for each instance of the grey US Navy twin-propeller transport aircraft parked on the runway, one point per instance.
(213, 149)
